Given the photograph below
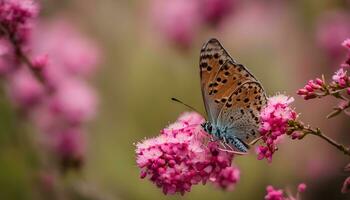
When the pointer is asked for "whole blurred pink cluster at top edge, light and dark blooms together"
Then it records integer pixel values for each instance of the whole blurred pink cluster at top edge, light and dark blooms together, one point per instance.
(180, 20)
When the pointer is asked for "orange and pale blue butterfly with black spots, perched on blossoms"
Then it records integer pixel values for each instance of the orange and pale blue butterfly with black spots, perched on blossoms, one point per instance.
(233, 98)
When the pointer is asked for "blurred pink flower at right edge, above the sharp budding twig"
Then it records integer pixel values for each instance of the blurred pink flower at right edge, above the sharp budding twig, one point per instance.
(332, 30)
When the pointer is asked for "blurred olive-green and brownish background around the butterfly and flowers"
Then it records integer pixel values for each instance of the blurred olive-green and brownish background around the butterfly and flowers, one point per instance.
(141, 71)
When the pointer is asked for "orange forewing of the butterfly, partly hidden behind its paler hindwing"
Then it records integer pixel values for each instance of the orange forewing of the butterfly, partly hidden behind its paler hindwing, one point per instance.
(212, 57)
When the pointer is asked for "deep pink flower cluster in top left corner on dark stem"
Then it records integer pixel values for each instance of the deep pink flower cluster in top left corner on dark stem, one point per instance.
(15, 18)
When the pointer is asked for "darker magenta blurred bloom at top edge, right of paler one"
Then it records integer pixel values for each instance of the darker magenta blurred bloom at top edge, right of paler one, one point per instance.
(214, 11)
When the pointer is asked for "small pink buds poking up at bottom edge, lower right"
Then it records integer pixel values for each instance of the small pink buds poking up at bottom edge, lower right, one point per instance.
(278, 194)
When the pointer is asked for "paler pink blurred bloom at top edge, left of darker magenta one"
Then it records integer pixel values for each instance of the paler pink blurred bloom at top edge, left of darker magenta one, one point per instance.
(177, 20)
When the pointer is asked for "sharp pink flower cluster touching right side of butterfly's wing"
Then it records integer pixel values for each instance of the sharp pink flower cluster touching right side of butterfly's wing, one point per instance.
(274, 123)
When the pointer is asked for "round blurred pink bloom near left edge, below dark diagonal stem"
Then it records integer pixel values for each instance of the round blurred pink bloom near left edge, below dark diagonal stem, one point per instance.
(25, 89)
